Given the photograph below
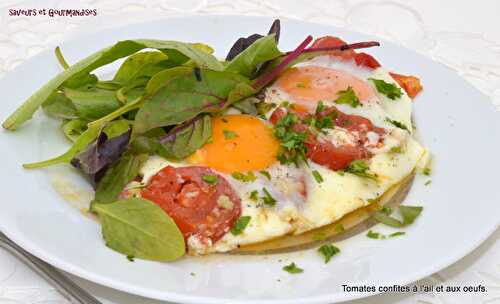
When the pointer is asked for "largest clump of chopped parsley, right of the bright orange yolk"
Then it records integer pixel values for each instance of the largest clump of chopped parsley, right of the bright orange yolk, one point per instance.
(293, 148)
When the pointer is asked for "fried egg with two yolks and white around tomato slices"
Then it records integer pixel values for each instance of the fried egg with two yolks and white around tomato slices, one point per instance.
(243, 143)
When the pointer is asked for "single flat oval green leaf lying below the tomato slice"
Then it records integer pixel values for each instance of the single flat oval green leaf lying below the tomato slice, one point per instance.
(139, 228)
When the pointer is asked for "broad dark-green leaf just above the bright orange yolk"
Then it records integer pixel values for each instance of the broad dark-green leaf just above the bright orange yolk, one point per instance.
(184, 97)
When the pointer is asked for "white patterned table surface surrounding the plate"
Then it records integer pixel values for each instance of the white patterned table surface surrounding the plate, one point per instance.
(464, 35)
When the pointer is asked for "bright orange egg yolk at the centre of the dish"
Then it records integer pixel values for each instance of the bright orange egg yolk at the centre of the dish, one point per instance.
(239, 143)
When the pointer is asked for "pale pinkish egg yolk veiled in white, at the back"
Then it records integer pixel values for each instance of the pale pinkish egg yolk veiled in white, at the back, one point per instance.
(313, 83)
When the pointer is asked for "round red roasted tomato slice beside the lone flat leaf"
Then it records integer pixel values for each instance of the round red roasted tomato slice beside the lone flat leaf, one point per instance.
(203, 209)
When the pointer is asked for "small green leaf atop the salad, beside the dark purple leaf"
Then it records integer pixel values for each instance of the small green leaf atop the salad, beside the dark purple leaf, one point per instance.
(260, 51)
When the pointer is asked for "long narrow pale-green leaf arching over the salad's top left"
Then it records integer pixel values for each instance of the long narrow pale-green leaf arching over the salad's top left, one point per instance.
(78, 74)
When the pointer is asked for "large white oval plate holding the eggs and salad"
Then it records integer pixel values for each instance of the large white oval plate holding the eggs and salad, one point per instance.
(455, 121)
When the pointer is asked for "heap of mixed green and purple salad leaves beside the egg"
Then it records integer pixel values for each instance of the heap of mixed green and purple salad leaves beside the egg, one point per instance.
(159, 102)
